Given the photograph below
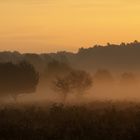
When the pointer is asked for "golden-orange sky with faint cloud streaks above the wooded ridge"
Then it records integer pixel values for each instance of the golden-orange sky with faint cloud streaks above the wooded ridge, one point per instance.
(58, 25)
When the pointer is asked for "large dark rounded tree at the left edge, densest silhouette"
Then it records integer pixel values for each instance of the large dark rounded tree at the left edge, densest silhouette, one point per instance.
(17, 78)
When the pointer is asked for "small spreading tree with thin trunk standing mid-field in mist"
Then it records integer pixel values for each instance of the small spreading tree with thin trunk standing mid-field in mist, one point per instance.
(76, 81)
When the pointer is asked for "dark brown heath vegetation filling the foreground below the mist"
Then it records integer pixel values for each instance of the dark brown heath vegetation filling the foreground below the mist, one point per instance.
(96, 121)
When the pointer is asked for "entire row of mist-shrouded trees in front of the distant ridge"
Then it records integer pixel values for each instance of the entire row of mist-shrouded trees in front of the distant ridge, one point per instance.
(23, 77)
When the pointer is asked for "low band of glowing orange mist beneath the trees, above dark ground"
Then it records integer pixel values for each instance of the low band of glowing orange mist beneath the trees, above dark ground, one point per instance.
(114, 92)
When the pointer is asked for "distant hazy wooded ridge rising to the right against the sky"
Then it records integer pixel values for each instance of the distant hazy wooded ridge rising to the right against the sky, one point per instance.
(115, 57)
